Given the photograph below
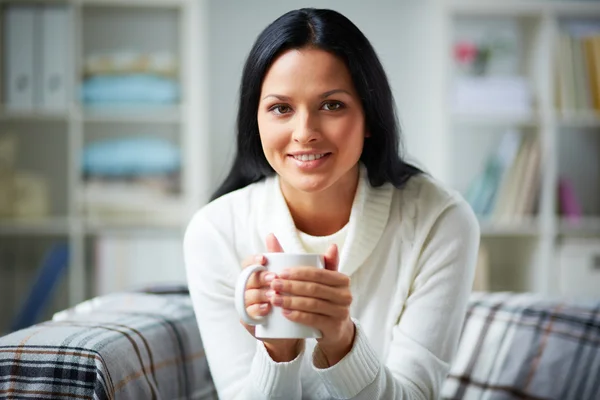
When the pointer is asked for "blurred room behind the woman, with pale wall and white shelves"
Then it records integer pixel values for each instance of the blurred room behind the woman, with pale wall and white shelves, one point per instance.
(117, 122)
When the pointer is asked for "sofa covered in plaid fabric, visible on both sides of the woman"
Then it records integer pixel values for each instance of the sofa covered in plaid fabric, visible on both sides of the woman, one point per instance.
(146, 345)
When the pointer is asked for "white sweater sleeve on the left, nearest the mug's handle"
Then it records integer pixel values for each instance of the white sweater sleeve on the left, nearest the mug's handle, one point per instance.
(241, 367)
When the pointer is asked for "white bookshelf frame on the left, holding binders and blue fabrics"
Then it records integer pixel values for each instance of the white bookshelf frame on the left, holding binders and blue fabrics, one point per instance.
(177, 26)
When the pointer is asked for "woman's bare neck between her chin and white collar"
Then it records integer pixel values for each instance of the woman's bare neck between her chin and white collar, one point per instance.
(325, 212)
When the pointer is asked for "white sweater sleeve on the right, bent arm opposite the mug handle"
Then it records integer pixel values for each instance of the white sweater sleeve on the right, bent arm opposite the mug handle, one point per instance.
(426, 336)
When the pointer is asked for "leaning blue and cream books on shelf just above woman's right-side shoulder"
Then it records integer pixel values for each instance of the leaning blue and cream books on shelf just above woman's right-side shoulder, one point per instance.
(508, 187)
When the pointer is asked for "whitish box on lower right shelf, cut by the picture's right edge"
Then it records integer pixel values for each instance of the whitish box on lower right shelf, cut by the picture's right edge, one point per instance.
(579, 268)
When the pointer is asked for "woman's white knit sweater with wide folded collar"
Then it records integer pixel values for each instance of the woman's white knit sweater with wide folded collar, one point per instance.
(411, 256)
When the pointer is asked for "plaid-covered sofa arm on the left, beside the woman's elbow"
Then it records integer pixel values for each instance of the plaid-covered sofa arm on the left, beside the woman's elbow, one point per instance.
(130, 345)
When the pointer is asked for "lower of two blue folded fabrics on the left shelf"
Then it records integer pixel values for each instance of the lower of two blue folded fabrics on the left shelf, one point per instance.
(131, 156)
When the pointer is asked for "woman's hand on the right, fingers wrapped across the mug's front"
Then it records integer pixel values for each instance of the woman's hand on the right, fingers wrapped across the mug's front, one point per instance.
(319, 298)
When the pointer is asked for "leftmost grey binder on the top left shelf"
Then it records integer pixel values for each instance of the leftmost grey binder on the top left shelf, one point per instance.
(20, 28)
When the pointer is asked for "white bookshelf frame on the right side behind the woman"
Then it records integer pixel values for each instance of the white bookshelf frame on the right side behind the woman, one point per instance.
(524, 253)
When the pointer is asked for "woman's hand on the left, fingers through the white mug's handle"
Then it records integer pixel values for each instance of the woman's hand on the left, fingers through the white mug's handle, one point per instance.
(258, 304)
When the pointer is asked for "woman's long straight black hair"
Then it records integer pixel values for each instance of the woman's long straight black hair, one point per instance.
(330, 31)
